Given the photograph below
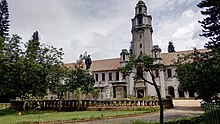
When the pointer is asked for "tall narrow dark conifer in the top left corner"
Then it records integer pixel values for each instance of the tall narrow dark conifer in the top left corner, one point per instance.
(4, 18)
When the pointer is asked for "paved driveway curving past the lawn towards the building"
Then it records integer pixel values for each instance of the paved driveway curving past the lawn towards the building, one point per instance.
(183, 108)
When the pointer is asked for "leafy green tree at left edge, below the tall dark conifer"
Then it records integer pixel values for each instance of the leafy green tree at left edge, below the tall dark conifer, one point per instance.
(10, 68)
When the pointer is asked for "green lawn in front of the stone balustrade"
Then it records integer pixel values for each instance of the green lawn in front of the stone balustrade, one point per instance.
(11, 116)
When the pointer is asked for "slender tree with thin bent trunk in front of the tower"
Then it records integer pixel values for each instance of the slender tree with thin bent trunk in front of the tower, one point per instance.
(147, 64)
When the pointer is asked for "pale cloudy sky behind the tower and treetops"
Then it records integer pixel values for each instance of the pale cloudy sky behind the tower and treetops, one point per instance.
(103, 27)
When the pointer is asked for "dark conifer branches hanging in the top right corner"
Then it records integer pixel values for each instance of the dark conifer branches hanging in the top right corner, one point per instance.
(211, 24)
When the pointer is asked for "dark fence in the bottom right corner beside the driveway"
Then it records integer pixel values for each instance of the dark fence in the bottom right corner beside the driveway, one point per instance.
(212, 112)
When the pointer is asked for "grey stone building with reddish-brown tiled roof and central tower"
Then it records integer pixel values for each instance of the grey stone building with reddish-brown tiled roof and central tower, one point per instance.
(114, 84)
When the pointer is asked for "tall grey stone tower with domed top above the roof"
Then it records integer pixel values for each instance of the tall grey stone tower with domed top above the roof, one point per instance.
(141, 31)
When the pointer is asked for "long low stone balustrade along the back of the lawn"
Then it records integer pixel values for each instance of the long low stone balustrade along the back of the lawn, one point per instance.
(88, 104)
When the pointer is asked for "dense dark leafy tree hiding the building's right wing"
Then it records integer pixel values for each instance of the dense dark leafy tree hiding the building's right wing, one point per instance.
(199, 72)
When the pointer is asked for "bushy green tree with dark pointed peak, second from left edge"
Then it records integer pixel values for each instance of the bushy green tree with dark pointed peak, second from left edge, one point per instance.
(41, 62)
